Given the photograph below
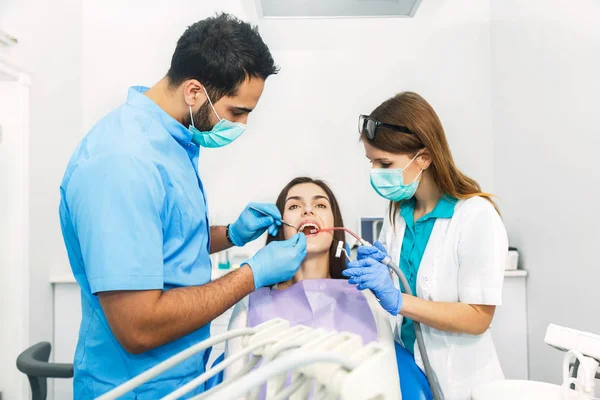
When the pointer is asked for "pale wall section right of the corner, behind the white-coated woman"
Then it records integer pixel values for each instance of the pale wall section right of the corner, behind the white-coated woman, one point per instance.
(545, 85)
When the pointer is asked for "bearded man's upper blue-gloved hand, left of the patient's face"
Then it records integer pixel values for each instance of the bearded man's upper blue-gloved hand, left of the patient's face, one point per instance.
(251, 224)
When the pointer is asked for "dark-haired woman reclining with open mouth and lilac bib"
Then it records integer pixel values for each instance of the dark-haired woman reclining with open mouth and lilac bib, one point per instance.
(318, 295)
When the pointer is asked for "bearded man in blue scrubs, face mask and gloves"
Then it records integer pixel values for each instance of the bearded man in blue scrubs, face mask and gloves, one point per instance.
(134, 216)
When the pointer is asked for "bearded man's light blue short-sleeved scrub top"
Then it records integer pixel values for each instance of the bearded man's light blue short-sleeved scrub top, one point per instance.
(134, 217)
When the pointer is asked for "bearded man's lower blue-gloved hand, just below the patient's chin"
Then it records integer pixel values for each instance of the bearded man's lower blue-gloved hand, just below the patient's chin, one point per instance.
(278, 261)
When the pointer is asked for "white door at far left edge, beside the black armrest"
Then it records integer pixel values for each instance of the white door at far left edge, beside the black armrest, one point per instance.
(14, 277)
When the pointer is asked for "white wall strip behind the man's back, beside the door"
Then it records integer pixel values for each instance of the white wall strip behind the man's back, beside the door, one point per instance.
(49, 50)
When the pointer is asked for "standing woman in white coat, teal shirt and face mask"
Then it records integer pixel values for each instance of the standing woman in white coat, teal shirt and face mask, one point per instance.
(446, 235)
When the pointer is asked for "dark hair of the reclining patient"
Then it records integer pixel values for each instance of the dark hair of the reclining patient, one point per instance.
(336, 265)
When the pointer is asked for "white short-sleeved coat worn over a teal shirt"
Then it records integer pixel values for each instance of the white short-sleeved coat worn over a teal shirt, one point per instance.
(463, 262)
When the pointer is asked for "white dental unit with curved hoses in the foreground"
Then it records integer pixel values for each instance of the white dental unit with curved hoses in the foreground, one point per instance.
(335, 365)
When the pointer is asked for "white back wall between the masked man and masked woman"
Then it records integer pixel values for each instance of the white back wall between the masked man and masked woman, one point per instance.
(332, 70)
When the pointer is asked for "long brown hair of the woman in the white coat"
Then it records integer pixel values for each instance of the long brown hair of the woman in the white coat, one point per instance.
(414, 112)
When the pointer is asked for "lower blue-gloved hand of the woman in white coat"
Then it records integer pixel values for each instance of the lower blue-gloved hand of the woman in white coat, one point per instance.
(371, 274)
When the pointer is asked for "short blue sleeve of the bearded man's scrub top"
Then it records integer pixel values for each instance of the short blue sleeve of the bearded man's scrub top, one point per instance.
(115, 204)
